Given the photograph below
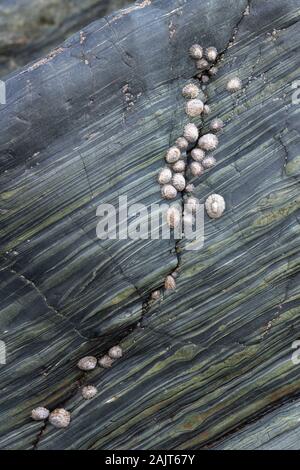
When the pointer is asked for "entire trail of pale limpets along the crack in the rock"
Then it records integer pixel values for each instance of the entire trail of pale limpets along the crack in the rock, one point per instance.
(172, 180)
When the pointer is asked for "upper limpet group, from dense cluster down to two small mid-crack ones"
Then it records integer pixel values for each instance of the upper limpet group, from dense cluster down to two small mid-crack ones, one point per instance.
(173, 178)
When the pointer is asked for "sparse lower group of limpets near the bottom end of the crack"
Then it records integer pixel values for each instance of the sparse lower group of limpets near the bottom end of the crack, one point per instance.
(60, 418)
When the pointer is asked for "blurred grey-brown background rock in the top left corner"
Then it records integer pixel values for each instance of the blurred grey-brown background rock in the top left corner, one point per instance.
(30, 28)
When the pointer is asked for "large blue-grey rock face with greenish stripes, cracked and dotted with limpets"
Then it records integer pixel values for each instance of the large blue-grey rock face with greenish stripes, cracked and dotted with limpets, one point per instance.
(92, 122)
